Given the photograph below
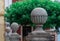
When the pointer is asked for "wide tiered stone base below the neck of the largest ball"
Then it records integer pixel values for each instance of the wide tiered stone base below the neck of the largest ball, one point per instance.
(39, 35)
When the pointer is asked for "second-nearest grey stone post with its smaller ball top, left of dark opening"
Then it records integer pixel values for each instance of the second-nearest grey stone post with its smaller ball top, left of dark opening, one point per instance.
(14, 36)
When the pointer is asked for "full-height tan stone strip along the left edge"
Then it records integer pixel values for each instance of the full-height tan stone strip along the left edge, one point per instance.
(2, 20)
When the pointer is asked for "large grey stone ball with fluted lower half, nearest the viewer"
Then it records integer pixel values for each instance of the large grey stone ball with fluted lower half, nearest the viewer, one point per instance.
(39, 15)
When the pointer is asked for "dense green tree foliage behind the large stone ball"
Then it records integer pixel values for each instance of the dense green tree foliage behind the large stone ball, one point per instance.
(20, 12)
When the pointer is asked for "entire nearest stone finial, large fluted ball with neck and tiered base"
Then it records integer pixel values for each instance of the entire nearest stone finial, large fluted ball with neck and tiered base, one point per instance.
(39, 17)
